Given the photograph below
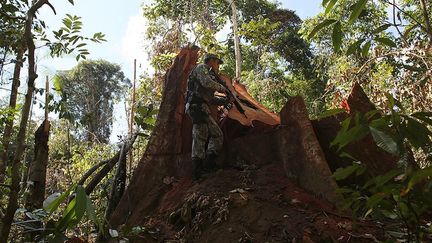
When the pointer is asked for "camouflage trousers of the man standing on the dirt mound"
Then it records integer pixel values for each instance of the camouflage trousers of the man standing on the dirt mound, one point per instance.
(205, 128)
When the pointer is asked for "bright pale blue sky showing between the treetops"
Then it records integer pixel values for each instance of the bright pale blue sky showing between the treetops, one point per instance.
(124, 26)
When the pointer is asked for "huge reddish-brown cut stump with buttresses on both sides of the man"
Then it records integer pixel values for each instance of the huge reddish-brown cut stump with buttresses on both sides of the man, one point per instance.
(256, 140)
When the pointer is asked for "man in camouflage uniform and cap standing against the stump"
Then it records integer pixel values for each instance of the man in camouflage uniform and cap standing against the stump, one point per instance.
(200, 95)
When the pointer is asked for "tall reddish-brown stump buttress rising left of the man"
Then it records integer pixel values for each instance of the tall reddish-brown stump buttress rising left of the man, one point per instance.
(168, 148)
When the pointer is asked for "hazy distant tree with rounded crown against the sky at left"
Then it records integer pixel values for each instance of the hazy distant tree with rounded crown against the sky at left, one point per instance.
(89, 91)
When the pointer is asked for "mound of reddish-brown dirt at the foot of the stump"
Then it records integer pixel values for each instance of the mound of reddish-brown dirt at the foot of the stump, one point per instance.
(249, 205)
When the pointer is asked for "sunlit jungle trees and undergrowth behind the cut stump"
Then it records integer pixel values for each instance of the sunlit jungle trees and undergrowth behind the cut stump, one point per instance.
(384, 45)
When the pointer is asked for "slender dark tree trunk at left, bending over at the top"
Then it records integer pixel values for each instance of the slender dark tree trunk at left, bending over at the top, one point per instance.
(16, 162)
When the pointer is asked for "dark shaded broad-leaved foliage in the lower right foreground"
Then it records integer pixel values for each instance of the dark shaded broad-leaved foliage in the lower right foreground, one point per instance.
(401, 194)
